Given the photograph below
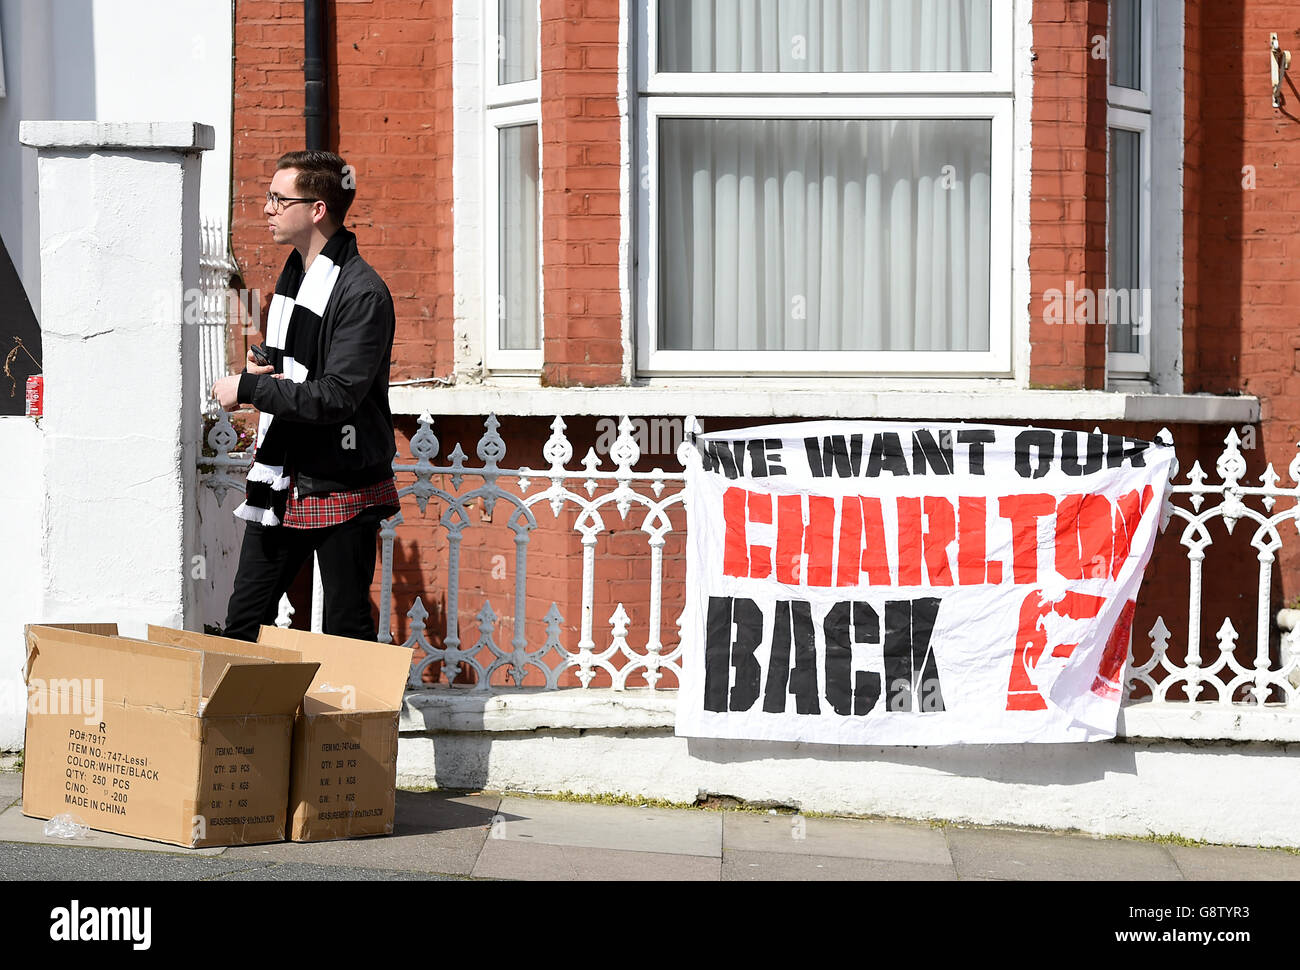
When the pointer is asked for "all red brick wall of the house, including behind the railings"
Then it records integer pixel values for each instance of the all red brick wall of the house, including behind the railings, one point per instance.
(392, 102)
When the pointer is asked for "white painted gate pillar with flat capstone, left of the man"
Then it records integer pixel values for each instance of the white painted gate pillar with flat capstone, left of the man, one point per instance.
(119, 259)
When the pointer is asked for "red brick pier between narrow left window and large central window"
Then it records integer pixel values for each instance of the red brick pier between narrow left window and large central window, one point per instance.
(583, 343)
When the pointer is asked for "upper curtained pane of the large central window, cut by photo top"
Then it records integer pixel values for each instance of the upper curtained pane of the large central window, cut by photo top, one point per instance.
(825, 36)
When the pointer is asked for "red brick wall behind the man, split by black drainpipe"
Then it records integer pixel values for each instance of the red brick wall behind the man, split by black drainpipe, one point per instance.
(389, 66)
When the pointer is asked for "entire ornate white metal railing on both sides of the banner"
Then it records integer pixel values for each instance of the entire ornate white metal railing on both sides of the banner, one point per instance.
(1234, 679)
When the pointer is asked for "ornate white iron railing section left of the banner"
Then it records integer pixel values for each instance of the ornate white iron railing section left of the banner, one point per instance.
(596, 492)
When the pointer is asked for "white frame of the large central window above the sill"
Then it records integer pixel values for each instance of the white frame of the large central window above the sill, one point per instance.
(898, 96)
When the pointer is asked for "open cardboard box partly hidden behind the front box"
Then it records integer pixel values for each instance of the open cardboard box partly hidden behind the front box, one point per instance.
(345, 761)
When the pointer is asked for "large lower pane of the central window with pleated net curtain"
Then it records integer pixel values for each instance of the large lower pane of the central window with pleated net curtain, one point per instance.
(817, 235)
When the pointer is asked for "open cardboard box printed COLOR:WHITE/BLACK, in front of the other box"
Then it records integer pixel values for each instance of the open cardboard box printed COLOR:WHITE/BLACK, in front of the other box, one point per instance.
(180, 744)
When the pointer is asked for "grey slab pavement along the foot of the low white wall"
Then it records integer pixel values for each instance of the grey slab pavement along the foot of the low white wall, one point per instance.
(444, 835)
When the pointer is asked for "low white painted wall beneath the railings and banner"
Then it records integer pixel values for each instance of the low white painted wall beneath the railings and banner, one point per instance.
(1227, 791)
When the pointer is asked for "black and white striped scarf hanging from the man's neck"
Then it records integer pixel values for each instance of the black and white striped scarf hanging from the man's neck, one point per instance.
(293, 337)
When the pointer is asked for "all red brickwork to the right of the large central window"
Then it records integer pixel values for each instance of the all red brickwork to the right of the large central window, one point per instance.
(1238, 241)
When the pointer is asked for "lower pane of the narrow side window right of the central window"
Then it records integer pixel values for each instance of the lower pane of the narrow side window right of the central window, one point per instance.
(1128, 306)
